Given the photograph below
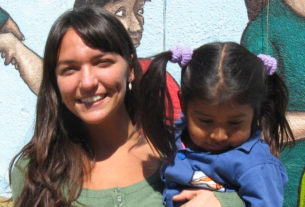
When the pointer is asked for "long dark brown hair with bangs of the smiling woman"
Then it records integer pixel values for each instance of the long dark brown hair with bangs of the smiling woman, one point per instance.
(58, 154)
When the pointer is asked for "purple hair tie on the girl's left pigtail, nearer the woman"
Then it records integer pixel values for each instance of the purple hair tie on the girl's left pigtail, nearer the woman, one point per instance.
(181, 55)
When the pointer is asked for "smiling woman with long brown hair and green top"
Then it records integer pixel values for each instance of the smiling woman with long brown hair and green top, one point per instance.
(87, 147)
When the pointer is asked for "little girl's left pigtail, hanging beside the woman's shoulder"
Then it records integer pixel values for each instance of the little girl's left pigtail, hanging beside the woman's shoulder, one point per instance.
(156, 110)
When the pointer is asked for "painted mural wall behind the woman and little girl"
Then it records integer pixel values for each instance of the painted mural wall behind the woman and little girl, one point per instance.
(167, 23)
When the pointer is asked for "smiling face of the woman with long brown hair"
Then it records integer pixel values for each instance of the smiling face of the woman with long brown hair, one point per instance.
(92, 83)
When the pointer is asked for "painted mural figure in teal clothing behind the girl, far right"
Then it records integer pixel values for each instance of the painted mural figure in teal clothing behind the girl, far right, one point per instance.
(277, 27)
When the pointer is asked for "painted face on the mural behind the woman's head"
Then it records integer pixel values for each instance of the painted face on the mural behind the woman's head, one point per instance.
(130, 13)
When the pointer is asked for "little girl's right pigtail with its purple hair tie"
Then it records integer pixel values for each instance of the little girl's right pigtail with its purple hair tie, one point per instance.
(275, 127)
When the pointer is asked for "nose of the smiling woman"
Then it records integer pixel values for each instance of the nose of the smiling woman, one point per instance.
(88, 79)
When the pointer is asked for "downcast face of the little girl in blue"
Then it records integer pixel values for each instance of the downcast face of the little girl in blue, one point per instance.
(218, 127)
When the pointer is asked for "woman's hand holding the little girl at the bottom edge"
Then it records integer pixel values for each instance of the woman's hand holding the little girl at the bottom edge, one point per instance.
(197, 198)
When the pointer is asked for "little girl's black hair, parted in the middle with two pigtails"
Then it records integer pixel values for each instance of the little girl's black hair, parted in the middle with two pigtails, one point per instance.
(218, 72)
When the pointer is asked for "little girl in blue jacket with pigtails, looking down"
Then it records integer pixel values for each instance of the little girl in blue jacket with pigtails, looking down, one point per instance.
(233, 106)
